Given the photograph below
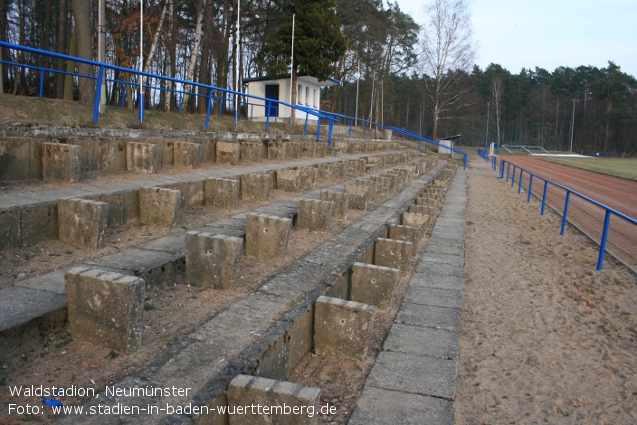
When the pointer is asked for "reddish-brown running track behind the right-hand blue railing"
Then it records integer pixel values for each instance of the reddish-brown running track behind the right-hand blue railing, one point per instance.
(619, 194)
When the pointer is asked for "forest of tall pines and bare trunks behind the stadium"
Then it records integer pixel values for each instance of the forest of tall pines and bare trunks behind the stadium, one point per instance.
(377, 52)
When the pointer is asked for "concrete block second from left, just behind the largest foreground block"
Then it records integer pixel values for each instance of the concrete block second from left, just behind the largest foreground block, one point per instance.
(211, 260)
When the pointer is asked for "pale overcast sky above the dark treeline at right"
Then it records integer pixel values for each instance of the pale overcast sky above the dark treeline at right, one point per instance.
(551, 33)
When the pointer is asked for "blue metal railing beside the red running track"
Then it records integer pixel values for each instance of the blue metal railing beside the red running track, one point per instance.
(608, 210)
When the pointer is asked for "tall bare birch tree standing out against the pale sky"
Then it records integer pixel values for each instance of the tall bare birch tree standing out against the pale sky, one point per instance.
(448, 53)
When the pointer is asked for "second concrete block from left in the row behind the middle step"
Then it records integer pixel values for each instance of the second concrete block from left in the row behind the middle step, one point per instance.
(159, 206)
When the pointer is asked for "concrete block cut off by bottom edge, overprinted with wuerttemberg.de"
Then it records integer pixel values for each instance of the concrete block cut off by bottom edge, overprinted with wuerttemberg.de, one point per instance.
(274, 397)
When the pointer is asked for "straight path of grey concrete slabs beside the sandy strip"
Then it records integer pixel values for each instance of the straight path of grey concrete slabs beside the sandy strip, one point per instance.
(414, 379)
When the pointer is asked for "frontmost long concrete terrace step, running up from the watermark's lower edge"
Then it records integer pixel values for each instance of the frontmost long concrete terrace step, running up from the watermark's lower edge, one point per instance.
(264, 334)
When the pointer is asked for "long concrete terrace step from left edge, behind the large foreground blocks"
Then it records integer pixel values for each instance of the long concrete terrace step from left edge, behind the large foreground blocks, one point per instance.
(37, 305)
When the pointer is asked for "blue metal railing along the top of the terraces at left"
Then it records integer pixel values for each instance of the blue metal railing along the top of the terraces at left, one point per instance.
(210, 96)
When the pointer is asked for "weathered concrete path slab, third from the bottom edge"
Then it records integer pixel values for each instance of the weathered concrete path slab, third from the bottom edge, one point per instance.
(422, 341)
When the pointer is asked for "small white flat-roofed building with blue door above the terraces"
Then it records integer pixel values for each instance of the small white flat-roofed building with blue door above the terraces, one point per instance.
(308, 93)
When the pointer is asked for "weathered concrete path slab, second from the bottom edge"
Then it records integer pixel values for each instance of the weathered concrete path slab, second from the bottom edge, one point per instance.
(414, 374)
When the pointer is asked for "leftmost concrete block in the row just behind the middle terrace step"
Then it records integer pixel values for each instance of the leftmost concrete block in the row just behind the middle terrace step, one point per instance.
(82, 223)
